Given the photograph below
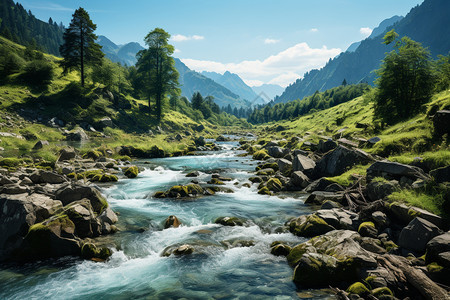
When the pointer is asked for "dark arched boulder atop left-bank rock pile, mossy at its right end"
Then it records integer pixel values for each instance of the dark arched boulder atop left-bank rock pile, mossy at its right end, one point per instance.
(74, 192)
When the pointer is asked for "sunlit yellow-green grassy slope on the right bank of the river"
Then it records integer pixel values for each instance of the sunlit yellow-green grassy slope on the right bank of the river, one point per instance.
(404, 142)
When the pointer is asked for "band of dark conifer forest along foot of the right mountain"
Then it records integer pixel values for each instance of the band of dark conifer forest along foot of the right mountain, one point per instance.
(318, 101)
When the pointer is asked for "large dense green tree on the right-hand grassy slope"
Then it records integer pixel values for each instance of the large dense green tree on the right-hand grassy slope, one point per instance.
(406, 80)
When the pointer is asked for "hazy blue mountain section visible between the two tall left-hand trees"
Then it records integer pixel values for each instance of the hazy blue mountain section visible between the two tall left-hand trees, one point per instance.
(125, 54)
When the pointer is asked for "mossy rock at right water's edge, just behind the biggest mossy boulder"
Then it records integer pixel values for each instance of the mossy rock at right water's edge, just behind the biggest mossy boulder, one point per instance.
(309, 226)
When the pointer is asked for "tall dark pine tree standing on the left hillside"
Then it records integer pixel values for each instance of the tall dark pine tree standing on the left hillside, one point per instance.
(79, 48)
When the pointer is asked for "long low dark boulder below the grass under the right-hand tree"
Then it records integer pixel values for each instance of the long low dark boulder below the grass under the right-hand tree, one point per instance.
(393, 170)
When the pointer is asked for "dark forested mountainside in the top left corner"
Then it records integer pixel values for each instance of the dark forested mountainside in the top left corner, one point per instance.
(22, 27)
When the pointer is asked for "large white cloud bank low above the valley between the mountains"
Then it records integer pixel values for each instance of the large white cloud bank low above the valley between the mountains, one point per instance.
(281, 68)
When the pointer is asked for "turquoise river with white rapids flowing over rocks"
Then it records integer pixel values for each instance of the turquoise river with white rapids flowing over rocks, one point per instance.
(219, 268)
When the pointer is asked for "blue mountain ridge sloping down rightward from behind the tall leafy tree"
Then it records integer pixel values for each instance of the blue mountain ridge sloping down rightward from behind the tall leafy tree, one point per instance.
(191, 82)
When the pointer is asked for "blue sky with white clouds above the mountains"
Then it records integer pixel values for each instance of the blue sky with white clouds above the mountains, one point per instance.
(263, 41)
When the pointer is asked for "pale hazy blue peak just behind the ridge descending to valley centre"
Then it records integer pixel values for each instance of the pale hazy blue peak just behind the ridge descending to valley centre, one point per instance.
(235, 84)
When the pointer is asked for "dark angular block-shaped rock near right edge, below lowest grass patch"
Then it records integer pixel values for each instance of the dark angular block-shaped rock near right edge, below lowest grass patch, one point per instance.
(417, 234)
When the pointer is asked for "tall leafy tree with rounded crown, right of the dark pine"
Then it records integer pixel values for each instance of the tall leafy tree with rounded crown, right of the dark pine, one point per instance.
(157, 75)
